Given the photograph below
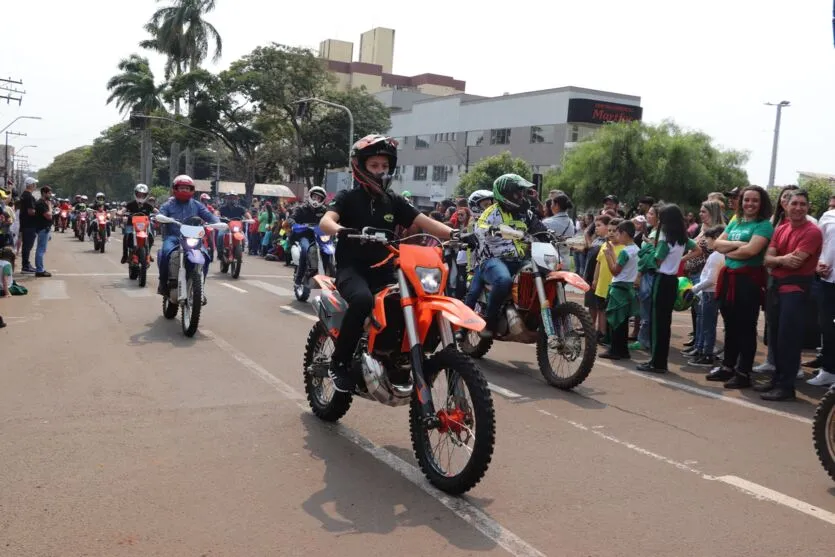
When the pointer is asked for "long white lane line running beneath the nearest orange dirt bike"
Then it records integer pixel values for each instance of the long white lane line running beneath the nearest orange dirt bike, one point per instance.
(463, 509)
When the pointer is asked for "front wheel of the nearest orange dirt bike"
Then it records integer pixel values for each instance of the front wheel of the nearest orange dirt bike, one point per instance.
(458, 422)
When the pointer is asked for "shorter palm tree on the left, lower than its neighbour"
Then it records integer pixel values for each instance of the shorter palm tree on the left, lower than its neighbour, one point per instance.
(134, 90)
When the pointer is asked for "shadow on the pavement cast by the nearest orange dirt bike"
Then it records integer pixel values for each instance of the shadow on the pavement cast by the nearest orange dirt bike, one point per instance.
(369, 497)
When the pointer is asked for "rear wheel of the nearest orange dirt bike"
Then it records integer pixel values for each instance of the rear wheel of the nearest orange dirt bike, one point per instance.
(326, 407)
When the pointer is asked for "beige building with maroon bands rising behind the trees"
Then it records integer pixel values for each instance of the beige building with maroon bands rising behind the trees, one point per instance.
(374, 68)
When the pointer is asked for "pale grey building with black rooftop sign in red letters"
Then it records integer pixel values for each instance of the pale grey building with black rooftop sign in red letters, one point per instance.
(442, 137)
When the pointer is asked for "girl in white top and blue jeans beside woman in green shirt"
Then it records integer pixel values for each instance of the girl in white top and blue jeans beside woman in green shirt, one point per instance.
(708, 304)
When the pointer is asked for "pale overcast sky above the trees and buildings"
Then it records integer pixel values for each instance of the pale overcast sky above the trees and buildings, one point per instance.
(708, 65)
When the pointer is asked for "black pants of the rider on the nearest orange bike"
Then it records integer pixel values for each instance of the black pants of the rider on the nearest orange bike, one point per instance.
(356, 285)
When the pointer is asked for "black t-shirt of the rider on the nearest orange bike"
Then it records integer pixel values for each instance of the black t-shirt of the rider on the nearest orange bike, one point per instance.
(357, 209)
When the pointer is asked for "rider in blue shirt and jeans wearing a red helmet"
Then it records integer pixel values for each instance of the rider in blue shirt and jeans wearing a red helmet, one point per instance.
(181, 207)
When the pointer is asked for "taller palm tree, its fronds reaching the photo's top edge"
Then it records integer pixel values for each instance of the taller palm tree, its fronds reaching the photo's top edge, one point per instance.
(181, 34)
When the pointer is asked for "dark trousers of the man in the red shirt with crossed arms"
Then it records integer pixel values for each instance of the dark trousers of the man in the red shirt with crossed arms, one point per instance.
(786, 319)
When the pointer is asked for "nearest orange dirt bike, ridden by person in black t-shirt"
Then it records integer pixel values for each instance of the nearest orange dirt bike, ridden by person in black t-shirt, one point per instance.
(407, 355)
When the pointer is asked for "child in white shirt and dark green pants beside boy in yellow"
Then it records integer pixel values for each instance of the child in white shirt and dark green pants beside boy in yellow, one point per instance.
(622, 302)
